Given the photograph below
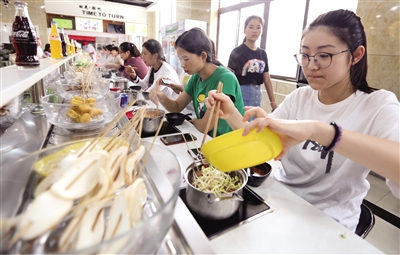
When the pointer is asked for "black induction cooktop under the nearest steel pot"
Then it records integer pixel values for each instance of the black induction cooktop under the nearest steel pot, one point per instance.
(251, 208)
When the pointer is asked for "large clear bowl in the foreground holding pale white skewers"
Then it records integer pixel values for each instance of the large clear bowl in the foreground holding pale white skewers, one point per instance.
(162, 176)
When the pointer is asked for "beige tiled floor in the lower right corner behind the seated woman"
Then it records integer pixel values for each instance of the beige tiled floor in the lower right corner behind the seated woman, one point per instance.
(384, 235)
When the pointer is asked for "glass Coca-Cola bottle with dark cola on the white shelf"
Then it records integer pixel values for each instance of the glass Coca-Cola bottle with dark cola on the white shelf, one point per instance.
(24, 37)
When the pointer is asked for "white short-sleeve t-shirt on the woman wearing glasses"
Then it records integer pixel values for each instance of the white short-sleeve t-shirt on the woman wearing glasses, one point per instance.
(331, 182)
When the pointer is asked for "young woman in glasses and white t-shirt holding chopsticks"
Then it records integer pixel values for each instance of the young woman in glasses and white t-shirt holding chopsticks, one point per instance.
(333, 55)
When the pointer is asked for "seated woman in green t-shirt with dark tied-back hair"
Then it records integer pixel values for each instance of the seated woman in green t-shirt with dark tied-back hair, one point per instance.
(196, 57)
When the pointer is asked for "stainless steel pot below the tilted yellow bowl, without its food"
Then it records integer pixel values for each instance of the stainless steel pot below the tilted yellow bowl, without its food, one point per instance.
(209, 206)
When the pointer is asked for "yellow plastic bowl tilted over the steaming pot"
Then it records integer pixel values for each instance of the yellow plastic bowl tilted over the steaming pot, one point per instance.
(232, 151)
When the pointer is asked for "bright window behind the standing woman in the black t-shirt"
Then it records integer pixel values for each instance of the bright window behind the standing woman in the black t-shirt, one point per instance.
(286, 20)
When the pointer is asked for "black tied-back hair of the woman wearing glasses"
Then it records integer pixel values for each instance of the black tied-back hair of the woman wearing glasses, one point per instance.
(347, 26)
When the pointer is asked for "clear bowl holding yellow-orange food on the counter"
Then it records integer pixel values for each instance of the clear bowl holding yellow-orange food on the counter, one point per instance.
(60, 112)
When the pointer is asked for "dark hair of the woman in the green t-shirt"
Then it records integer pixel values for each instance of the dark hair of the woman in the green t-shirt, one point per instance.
(196, 41)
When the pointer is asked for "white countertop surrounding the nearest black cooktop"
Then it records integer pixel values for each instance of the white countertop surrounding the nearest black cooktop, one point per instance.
(293, 226)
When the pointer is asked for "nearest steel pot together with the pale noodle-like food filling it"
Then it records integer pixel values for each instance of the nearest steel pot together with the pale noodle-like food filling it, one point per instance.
(213, 194)
